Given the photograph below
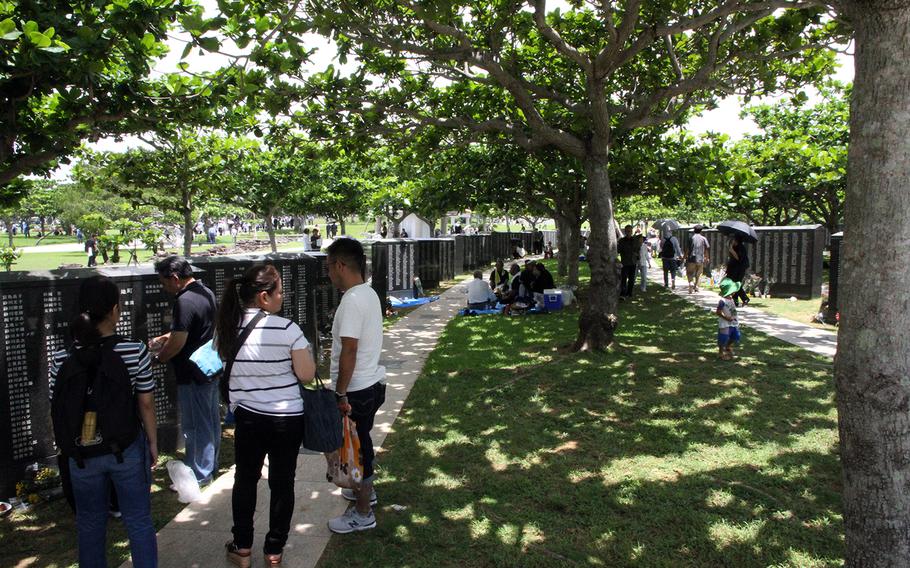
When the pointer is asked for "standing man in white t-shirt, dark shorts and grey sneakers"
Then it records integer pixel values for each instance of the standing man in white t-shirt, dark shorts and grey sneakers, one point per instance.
(358, 378)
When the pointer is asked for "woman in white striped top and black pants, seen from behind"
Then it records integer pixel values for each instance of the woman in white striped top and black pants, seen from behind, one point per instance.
(265, 399)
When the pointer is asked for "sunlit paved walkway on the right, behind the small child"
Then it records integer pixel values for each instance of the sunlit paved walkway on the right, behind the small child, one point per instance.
(819, 341)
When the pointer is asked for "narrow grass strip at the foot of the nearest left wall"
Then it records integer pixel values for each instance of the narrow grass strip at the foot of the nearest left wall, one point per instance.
(45, 535)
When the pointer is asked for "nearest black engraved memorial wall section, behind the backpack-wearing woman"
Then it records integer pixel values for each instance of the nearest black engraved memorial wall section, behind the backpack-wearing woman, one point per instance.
(37, 308)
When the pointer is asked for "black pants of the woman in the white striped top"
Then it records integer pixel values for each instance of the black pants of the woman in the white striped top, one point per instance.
(257, 436)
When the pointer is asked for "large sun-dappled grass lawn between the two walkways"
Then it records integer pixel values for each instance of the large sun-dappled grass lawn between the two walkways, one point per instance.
(511, 452)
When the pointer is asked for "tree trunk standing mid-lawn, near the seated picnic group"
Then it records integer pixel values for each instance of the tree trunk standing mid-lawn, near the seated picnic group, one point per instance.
(598, 319)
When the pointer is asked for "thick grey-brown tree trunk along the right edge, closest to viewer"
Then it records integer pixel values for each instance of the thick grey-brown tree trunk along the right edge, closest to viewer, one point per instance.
(872, 367)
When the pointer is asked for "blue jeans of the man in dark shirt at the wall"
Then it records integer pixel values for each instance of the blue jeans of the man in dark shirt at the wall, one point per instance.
(200, 422)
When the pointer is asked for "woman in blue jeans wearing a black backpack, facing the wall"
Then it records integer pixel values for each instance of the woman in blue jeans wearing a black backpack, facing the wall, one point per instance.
(103, 410)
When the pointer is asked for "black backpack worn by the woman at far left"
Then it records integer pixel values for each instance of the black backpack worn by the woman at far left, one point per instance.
(94, 378)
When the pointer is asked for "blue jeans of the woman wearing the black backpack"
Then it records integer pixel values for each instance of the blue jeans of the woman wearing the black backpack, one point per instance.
(92, 489)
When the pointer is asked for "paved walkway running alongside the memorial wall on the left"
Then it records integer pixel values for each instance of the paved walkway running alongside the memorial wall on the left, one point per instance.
(196, 536)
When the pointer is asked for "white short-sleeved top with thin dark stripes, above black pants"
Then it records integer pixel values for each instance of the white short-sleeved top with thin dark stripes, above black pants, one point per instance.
(262, 378)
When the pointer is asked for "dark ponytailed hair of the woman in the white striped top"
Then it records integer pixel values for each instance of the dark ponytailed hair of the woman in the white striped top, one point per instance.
(241, 293)
